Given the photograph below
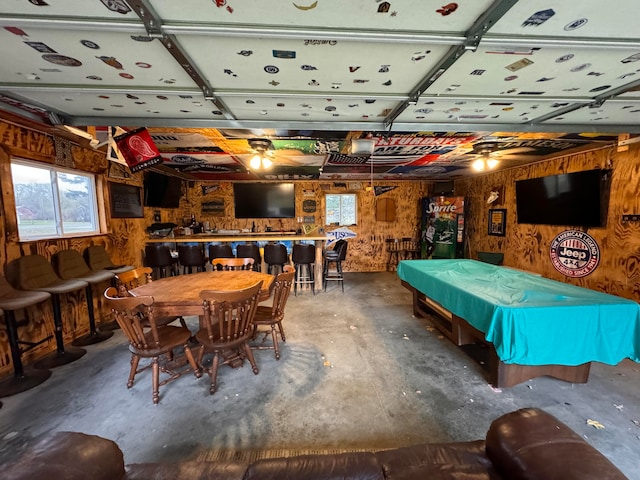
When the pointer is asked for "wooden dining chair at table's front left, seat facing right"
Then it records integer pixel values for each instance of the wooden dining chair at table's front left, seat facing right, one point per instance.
(146, 340)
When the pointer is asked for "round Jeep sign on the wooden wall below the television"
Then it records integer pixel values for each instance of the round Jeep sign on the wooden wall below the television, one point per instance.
(574, 253)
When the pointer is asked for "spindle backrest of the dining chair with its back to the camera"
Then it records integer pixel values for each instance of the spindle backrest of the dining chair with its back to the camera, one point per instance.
(228, 315)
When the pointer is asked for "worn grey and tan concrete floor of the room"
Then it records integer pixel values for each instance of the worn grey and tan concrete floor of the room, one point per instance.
(357, 371)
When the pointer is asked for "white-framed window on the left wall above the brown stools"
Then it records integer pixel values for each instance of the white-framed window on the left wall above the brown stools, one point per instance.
(53, 202)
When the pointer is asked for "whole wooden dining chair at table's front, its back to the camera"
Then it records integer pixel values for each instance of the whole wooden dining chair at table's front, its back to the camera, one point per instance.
(227, 328)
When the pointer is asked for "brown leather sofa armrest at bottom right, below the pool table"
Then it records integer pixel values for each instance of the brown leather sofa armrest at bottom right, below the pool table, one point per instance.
(532, 444)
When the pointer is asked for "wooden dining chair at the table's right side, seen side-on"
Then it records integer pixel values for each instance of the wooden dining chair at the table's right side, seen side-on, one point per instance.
(272, 316)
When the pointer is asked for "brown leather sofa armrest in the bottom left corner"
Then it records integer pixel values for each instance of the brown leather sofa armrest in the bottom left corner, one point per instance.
(69, 455)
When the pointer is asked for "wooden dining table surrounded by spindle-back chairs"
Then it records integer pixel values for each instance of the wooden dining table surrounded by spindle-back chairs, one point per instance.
(180, 295)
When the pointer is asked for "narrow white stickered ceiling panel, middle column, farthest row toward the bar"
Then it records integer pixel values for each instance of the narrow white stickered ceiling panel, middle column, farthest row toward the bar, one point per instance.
(310, 109)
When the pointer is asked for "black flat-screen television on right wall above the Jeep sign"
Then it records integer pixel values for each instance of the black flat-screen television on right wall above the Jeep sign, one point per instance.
(572, 199)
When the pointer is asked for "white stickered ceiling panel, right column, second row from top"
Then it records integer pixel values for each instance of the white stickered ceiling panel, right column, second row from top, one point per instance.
(541, 72)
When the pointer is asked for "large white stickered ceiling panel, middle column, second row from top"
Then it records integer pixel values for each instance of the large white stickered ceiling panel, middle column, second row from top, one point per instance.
(310, 65)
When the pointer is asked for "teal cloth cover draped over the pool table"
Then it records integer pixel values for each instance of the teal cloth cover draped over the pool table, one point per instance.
(531, 320)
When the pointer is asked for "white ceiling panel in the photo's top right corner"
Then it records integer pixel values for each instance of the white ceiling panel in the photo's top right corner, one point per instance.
(576, 20)
